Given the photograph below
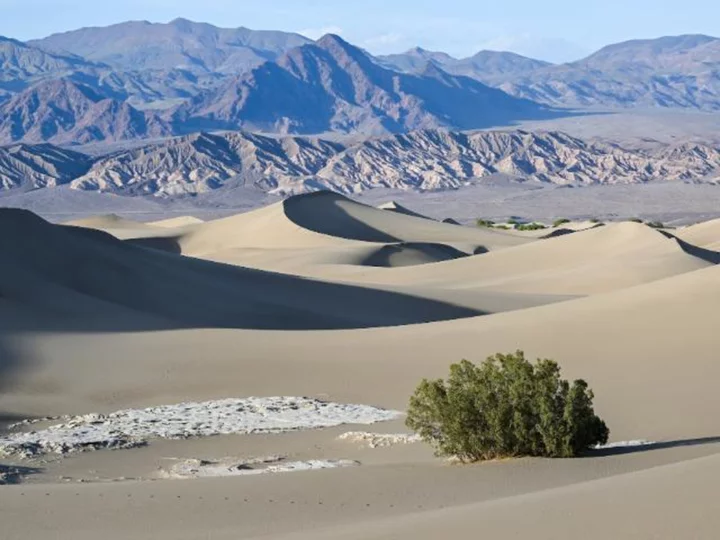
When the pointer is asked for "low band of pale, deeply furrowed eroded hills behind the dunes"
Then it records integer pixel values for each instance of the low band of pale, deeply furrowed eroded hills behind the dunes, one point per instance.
(420, 160)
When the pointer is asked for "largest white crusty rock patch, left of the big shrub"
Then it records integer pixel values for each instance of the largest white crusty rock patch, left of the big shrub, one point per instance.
(133, 427)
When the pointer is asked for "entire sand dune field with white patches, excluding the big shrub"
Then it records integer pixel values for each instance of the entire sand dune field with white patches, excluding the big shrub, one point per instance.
(245, 377)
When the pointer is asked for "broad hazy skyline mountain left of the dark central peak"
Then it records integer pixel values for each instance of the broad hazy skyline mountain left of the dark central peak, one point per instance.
(180, 44)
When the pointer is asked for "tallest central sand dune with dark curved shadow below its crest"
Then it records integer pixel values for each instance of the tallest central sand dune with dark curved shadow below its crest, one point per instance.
(319, 220)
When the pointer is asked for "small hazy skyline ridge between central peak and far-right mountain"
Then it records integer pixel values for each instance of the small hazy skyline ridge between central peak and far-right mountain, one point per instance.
(489, 67)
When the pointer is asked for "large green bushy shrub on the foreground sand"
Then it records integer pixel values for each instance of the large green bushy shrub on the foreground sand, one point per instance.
(506, 407)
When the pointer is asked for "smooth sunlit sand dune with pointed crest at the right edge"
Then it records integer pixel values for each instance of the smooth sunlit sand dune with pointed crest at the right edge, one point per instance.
(597, 260)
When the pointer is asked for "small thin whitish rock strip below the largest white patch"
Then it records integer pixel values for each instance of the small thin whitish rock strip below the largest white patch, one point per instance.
(195, 468)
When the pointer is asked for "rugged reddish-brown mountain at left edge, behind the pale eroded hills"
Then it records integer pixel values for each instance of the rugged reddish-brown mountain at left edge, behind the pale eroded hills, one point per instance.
(62, 111)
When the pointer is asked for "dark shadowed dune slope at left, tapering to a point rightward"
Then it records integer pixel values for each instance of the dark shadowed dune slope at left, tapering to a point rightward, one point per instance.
(86, 272)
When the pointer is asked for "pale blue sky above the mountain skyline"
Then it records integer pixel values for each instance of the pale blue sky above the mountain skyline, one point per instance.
(555, 30)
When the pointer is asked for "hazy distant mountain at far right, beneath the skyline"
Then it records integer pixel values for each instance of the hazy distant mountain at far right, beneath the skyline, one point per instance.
(681, 72)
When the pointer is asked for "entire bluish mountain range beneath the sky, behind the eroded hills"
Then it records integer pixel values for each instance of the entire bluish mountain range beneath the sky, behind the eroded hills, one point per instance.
(139, 80)
